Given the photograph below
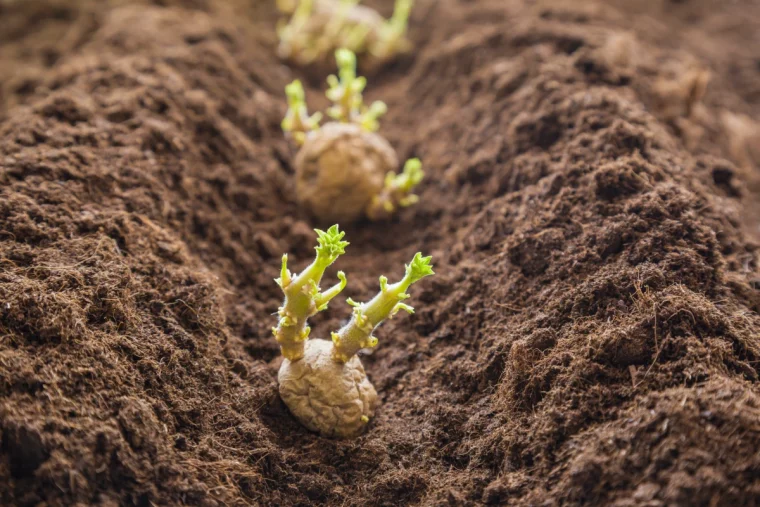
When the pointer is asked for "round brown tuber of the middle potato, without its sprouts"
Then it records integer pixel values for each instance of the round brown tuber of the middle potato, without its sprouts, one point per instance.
(339, 169)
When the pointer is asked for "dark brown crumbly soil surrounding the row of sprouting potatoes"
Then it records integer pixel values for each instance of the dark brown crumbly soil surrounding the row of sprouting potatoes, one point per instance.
(592, 203)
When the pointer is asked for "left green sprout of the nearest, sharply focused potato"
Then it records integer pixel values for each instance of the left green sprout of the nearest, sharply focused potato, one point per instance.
(303, 298)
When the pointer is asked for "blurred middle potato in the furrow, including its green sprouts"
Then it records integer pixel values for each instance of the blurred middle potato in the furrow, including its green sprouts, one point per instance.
(344, 169)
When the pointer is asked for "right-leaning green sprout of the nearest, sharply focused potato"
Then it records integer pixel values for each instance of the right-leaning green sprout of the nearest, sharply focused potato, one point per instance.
(357, 334)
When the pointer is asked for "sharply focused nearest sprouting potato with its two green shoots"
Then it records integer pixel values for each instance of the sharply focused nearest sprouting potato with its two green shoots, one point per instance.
(323, 383)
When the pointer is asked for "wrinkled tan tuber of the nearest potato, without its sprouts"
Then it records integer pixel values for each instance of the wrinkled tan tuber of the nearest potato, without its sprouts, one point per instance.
(330, 398)
